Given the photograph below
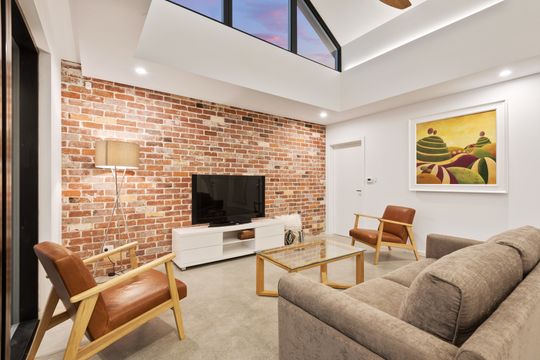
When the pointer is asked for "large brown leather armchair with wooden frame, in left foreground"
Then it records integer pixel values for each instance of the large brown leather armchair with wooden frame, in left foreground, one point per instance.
(108, 311)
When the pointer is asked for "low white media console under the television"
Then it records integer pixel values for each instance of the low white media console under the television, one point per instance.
(200, 245)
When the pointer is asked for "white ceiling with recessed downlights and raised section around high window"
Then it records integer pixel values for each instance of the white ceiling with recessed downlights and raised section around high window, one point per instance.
(393, 57)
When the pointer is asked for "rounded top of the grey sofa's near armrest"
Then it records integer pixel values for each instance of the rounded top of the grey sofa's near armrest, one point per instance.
(381, 333)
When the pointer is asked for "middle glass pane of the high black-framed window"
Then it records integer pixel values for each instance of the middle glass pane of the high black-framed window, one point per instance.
(265, 19)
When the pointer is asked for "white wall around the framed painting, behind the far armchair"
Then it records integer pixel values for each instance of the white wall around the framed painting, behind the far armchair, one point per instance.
(471, 215)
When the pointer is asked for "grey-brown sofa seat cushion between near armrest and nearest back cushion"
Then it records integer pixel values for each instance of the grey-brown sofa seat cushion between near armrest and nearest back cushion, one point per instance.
(382, 294)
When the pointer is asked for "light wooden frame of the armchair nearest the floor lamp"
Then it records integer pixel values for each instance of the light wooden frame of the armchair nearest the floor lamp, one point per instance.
(87, 300)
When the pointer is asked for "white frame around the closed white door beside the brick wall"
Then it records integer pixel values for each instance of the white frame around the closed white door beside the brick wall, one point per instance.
(331, 188)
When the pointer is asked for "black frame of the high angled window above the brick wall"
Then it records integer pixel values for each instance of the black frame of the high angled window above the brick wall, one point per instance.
(227, 20)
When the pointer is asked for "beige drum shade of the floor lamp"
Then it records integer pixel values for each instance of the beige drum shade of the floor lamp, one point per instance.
(117, 154)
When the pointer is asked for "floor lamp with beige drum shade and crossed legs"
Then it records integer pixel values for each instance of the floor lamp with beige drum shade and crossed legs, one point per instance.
(117, 156)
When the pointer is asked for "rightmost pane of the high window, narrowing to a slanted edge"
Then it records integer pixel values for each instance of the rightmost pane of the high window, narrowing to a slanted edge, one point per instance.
(313, 42)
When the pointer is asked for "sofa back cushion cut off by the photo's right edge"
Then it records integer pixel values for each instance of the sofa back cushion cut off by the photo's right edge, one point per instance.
(526, 240)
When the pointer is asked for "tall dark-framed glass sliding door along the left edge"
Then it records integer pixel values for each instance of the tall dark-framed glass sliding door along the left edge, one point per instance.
(23, 268)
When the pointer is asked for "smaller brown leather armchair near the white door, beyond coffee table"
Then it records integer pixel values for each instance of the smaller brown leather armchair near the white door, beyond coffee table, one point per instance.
(395, 228)
